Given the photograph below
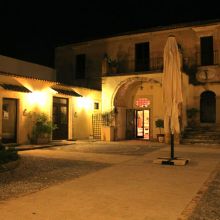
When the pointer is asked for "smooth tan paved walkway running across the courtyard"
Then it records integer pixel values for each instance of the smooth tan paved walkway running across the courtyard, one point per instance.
(134, 188)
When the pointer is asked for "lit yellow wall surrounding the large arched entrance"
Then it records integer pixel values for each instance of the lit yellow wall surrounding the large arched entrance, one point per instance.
(138, 88)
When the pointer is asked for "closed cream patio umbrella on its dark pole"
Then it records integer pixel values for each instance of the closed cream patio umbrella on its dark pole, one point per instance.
(172, 89)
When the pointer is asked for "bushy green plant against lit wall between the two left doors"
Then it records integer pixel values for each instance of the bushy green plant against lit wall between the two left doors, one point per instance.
(42, 129)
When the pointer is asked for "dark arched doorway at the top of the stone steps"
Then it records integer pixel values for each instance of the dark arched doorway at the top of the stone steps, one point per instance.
(208, 107)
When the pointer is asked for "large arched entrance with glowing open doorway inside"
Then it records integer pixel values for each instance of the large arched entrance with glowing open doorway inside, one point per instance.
(134, 102)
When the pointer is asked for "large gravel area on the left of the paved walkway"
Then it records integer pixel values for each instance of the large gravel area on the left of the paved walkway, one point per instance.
(36, 173)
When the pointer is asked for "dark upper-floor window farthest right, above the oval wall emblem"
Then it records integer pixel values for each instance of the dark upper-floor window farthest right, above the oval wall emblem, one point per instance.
(207, 53)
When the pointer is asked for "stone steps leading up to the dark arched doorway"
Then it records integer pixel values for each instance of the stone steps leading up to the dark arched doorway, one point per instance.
(201, 135)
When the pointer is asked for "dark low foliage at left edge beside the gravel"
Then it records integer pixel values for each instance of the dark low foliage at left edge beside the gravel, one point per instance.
(7, 155)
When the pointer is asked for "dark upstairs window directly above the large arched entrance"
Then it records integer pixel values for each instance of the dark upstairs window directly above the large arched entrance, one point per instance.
(142, 57)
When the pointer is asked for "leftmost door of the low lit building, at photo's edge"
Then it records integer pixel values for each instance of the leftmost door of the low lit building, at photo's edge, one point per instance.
(9, 120)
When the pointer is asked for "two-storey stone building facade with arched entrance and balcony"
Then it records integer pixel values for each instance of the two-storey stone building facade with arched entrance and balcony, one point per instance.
(128, 69)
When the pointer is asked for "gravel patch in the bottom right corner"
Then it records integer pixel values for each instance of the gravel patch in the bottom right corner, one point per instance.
(208, 208)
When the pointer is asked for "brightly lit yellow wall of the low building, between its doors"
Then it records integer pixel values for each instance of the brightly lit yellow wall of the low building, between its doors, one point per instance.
(40, 99)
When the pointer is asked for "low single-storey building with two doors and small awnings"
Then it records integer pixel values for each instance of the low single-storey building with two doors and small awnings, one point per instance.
(28, 89)
